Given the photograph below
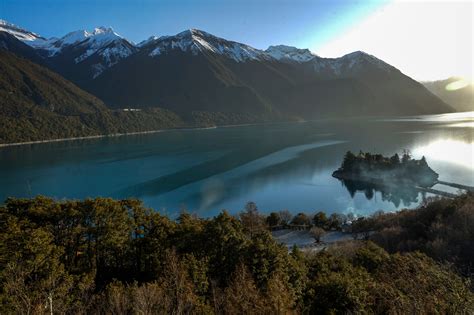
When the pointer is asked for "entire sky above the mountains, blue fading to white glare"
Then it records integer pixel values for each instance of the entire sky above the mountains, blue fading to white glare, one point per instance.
(427, 40)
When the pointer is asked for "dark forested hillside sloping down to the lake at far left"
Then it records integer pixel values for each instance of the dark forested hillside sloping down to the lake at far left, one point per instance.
(38, 104)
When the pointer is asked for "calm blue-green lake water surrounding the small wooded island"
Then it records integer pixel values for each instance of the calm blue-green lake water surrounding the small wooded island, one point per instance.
(278, 166)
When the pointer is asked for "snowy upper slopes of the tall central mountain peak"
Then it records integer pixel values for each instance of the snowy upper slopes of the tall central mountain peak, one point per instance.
(196, 41)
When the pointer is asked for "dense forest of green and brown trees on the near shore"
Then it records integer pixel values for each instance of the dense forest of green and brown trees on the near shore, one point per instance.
(100, 256)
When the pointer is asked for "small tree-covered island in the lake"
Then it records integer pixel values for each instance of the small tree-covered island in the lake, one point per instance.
(381, 170)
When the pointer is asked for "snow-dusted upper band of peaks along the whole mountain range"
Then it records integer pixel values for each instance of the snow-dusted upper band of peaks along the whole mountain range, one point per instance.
(102, 48)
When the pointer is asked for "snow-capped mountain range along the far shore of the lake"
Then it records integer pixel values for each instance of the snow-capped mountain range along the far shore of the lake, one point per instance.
(198, 79)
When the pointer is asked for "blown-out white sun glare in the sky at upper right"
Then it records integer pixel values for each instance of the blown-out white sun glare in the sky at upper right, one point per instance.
(426, 40)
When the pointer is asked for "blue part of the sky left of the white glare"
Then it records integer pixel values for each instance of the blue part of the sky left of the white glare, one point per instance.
(260, 23)
